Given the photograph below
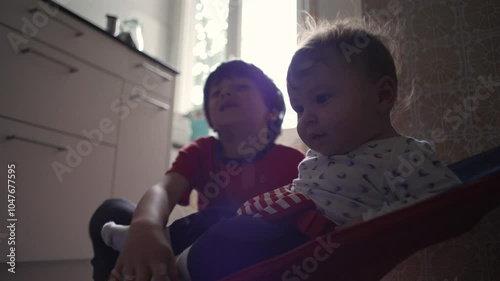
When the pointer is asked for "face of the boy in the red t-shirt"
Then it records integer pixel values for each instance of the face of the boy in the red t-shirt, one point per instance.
(237, 101)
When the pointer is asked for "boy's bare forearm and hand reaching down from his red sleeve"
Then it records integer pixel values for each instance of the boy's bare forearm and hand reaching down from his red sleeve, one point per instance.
(147, 251)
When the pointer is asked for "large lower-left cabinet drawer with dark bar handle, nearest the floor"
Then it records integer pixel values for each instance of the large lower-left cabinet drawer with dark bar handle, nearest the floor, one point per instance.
(53, 208)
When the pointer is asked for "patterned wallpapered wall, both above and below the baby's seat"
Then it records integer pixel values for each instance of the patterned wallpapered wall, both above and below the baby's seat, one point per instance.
(451, 48)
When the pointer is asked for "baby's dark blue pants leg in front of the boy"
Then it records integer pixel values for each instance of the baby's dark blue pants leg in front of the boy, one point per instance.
(235, 243)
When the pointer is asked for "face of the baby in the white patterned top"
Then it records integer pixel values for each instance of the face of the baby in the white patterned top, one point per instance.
(336, 107)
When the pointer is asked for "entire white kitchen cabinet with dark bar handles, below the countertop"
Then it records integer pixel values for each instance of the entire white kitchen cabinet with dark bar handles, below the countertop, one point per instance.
(73, 85)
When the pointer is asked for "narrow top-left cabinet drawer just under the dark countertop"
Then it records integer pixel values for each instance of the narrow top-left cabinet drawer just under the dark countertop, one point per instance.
(52, 26)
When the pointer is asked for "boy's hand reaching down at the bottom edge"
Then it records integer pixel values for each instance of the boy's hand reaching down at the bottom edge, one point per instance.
(146, 256)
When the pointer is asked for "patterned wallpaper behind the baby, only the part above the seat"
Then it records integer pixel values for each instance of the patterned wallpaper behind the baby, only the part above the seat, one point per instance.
(451, 48)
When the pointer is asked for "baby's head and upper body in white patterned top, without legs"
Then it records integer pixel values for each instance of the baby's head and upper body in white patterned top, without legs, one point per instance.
(343, 85)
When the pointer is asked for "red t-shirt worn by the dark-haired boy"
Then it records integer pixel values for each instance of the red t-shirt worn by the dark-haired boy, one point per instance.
(222, 182)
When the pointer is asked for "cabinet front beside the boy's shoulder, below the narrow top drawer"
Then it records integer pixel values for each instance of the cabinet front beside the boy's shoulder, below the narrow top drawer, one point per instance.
(144, 147)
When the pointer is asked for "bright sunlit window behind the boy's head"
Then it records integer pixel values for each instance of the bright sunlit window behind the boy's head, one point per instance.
(262, 32)
